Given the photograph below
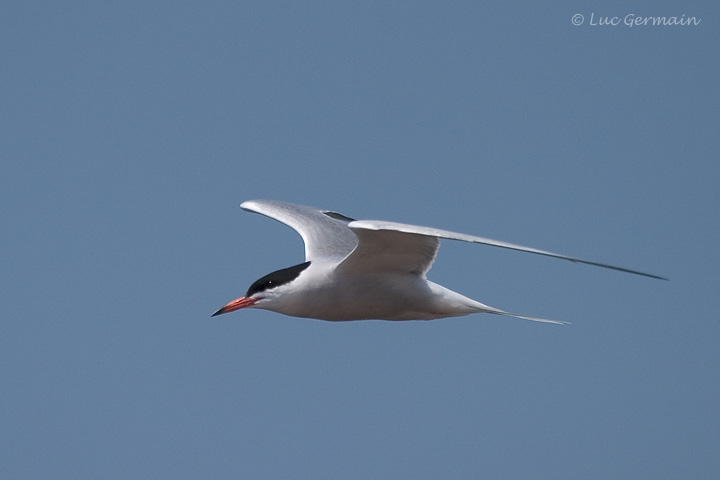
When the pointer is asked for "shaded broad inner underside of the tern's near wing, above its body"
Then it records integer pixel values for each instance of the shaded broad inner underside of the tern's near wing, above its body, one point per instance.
(390, 251)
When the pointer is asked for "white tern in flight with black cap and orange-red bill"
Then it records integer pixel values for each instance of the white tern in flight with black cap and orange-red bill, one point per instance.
(366, 269)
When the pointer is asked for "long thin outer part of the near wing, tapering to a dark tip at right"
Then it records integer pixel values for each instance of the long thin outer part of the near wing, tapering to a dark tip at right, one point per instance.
(375, 225)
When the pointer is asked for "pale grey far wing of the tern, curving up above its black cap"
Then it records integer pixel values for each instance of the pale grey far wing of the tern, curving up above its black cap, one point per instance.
(325, 233)
